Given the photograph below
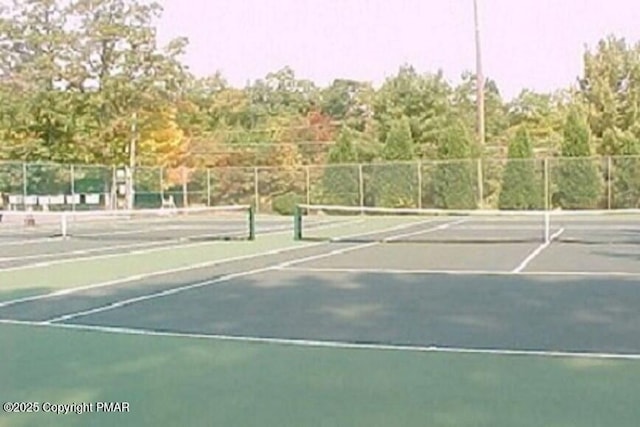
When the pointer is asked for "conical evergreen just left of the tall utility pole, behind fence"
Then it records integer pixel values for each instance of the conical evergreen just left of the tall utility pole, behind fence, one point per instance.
(453, 180)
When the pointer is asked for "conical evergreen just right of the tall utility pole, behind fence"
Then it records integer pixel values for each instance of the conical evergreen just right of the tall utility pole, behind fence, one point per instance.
(520, 186)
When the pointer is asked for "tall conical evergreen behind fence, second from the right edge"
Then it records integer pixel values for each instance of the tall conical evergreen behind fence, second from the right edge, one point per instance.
(579, 182)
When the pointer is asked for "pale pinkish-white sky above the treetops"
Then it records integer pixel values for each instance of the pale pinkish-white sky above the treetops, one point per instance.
(533, 44)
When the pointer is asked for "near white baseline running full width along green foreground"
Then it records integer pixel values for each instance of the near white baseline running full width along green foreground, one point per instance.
(336, 345)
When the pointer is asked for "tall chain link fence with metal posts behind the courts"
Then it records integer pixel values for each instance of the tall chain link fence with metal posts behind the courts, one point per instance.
(522, 184)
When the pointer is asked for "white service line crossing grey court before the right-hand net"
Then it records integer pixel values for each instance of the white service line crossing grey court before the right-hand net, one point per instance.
(603, 274)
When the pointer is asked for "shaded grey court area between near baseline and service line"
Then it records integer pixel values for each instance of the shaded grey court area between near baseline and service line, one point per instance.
(567, 314)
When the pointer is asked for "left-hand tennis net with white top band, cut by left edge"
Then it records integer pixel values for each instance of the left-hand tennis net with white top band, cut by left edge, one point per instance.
(177, 224)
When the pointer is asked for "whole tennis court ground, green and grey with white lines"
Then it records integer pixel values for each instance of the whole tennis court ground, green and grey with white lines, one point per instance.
(370, 319)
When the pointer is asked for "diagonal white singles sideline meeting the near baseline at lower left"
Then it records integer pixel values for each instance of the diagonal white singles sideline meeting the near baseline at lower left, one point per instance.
(226, 278)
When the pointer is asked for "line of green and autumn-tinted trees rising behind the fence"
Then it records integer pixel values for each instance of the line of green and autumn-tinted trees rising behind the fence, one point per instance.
(80, 78)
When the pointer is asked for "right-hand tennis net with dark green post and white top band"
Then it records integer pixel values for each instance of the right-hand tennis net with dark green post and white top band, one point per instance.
(365, 224)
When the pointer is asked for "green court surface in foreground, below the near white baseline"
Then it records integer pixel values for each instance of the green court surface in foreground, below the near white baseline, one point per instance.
(171, 381)
